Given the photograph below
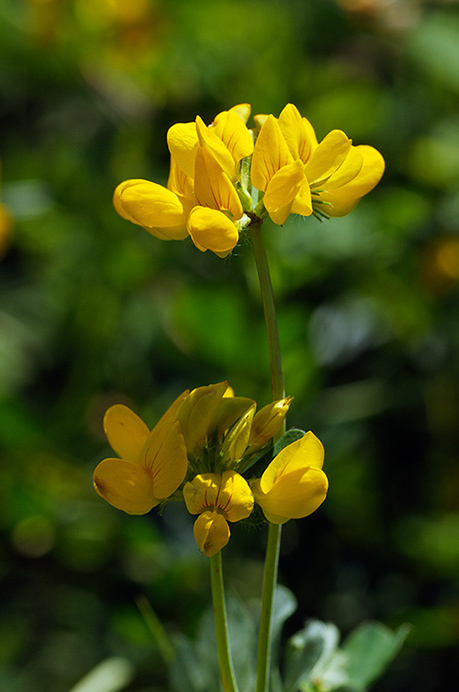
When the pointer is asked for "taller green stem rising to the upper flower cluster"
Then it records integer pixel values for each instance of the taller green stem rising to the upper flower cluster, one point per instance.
(274, 534)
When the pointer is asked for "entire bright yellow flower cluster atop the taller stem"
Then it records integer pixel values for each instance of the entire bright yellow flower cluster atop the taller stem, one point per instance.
(225, 175)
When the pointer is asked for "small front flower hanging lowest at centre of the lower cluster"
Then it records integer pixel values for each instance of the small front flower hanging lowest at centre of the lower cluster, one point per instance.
(217, 498)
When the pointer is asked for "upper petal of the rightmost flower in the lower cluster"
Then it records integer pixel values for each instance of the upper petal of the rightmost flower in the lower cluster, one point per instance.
(305, 452)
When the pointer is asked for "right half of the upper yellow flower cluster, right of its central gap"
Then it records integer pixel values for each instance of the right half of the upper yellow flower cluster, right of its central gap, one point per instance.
(301, 176)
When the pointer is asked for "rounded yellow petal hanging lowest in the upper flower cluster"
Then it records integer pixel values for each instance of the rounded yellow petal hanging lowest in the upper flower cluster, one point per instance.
(212, 230)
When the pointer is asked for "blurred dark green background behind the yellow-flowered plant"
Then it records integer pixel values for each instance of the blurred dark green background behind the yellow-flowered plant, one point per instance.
(94, 311)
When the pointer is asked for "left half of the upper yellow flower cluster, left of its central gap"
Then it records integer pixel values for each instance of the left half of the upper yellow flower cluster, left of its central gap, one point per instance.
(200, 199)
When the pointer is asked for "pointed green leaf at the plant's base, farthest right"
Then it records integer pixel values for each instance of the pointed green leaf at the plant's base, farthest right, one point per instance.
(370, 648)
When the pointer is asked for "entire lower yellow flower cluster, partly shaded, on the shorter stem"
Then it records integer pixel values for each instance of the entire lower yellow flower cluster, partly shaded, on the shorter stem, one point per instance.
(202, 445)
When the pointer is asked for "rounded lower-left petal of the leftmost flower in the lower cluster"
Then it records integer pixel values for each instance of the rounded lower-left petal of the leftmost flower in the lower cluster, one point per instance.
(125, 485)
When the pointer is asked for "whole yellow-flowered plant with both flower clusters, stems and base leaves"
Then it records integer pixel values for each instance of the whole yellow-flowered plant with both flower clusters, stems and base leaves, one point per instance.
(228, 461)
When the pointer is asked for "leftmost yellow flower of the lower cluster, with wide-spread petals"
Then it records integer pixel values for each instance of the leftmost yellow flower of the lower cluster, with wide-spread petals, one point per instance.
(152, 464)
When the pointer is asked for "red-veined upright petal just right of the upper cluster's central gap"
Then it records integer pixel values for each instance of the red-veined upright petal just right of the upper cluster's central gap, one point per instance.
(271, 153)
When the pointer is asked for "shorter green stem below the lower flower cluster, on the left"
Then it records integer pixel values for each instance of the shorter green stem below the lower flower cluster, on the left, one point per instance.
(221, 625)
